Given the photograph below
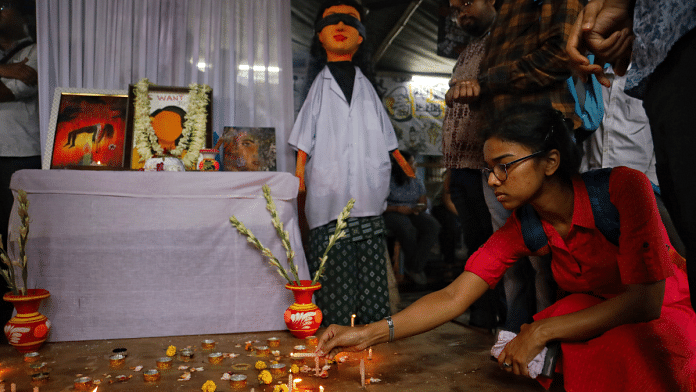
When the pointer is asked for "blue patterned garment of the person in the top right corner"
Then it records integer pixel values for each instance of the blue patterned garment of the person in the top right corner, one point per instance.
(657, 25)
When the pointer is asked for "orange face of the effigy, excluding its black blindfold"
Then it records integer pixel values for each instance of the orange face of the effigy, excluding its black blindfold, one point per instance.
(340, 40)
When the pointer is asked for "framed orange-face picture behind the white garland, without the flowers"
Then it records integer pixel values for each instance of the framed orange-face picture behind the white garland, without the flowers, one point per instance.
(168, 107)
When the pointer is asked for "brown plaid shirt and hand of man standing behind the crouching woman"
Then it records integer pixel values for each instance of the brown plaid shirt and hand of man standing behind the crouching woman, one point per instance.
(525, 61)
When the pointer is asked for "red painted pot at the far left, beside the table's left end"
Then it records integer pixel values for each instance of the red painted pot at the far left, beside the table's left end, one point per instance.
(28, 329)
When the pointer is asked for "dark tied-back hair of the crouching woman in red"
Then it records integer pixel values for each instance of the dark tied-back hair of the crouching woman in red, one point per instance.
(540, 128)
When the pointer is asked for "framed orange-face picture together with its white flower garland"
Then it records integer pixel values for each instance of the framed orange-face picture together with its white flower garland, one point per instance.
(167, 121)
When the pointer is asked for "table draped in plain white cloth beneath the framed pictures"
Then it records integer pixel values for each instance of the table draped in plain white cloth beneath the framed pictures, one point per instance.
(141, 254)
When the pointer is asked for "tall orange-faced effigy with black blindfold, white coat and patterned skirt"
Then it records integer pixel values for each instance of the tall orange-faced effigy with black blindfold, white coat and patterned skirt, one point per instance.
(343, 137)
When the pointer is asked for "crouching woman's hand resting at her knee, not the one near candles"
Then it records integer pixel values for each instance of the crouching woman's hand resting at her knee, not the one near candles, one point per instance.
(521, 350)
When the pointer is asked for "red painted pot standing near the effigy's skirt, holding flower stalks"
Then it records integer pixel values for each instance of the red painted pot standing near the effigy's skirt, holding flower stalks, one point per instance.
(303, 318)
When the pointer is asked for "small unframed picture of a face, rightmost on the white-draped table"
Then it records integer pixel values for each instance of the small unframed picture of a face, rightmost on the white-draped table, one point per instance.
(247, 149)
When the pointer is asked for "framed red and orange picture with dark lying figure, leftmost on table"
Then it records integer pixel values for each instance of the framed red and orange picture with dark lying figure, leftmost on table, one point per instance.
(87, 130)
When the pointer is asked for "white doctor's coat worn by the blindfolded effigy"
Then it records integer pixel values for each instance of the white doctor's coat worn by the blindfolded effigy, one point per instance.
(347, 148)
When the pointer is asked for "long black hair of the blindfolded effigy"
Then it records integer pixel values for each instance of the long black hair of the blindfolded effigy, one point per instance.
(361, 58)
